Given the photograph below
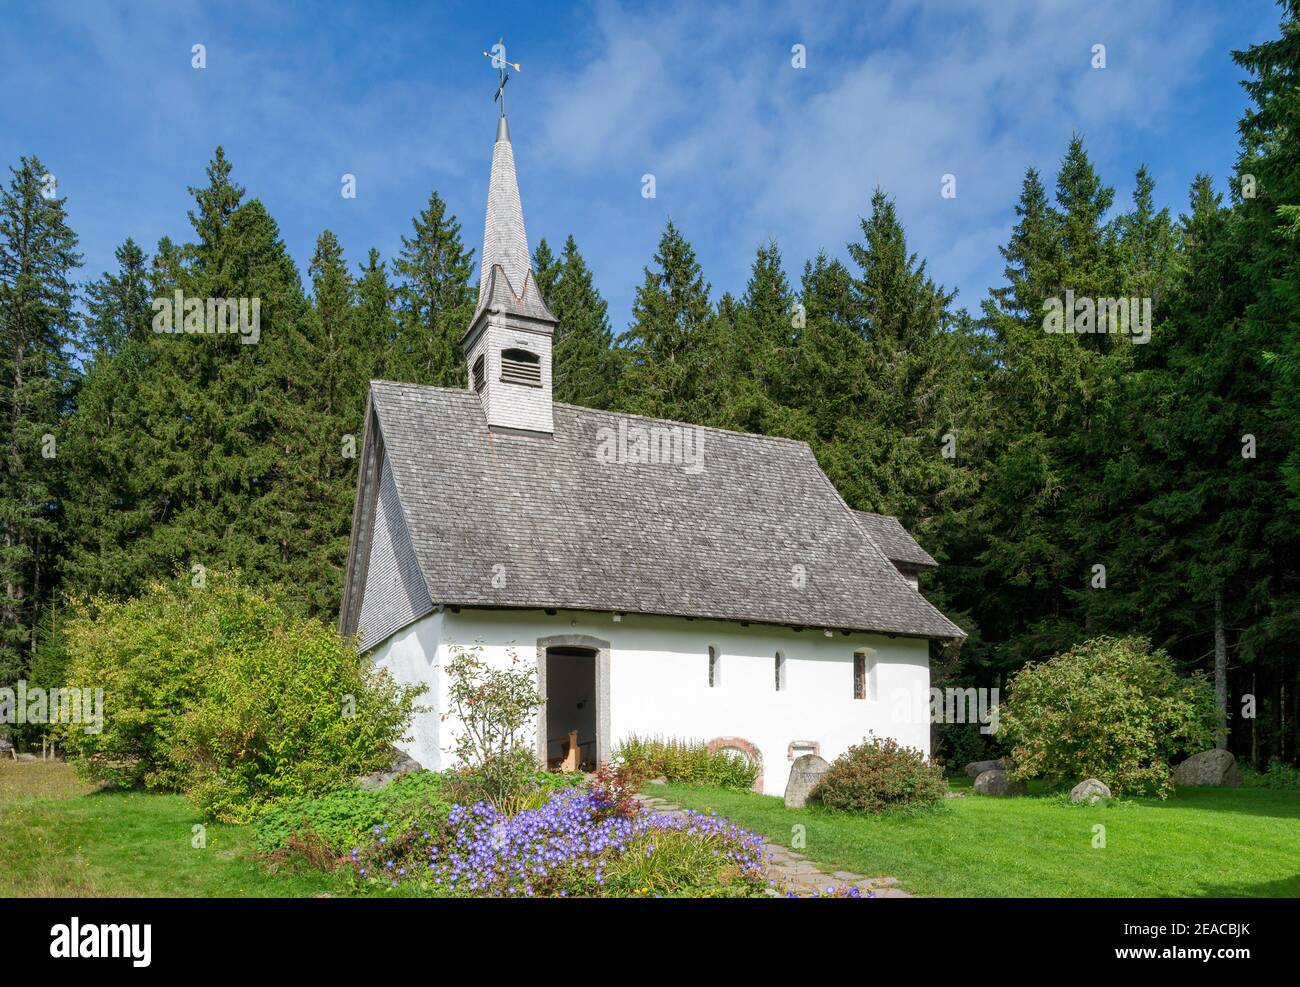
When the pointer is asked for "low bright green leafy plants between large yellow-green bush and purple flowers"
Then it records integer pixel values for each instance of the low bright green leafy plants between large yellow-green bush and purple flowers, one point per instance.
(345, 819)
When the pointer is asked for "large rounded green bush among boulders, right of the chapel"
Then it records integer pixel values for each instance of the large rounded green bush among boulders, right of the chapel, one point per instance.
(1110, 709)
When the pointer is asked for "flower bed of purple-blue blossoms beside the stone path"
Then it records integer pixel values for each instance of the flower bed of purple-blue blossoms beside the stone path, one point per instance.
(574, 846)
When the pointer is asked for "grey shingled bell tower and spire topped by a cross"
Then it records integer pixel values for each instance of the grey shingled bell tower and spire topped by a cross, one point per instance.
(509, 341)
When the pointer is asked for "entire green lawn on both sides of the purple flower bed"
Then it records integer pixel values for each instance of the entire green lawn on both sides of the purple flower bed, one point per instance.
(60, 838)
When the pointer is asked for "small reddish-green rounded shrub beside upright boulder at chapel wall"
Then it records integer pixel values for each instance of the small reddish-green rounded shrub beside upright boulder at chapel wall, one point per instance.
(881, 774)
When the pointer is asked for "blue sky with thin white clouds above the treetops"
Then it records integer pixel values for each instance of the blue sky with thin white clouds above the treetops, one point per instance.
(743, 146)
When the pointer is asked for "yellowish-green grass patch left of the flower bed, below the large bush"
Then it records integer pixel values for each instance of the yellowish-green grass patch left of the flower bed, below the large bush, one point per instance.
(62, 838)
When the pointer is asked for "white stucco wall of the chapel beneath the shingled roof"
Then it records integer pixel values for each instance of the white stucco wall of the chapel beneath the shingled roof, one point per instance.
(660, 681)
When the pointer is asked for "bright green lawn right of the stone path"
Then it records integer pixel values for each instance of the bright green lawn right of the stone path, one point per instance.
(1199, 843)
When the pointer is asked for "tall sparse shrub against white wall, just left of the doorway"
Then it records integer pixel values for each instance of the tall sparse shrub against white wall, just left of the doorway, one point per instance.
(496, 708)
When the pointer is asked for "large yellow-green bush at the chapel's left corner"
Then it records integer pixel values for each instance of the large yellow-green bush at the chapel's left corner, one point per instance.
(223, 694)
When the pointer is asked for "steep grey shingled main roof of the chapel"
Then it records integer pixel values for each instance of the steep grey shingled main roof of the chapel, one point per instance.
(569, 531)
